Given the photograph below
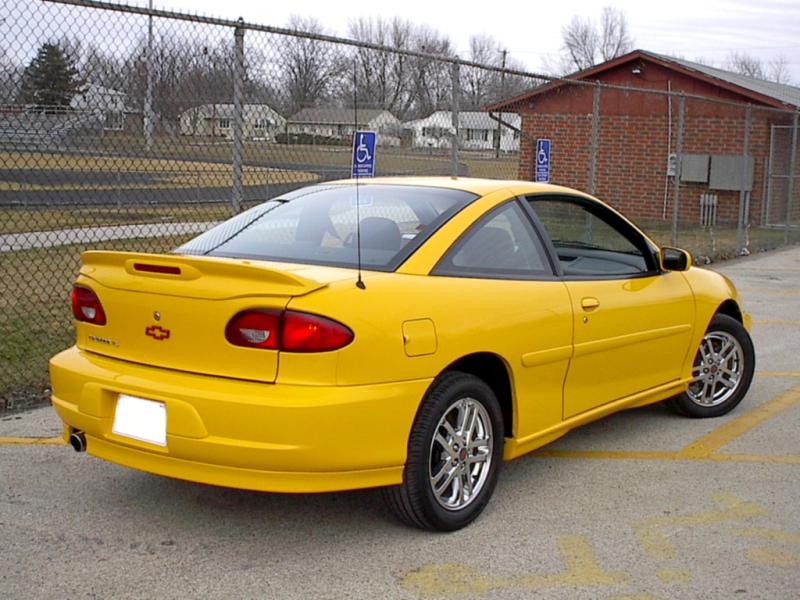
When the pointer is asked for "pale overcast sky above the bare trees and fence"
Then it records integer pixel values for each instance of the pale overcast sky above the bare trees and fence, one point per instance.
(529, 30)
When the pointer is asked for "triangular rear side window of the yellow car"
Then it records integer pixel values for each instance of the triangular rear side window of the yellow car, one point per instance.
(502, 245)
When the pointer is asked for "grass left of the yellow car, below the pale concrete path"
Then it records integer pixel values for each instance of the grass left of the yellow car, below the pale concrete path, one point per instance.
(35, 317)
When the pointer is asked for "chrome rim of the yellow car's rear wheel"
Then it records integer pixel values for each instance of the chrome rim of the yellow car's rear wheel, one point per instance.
(460, 454)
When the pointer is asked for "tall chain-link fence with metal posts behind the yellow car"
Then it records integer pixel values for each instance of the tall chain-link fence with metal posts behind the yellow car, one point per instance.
(128, 128)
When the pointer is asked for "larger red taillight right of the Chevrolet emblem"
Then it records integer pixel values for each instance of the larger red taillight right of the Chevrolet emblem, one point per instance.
(290, 331)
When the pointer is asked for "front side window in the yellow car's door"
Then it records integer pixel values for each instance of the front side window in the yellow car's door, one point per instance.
(590, 243)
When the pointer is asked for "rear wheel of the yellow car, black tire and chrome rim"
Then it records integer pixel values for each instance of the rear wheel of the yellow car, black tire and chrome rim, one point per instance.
(455, 452)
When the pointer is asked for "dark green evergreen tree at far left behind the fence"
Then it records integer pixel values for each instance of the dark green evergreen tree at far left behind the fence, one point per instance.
(51, 79)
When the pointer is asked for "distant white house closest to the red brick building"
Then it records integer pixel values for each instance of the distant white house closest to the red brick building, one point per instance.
(476, 131)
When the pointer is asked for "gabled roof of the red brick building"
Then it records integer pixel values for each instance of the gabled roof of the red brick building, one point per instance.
(778, 95)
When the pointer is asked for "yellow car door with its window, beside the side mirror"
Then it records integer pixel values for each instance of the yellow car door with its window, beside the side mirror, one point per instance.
(632, 322)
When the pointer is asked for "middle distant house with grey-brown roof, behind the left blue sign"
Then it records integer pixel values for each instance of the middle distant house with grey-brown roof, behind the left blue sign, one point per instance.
(339, 124)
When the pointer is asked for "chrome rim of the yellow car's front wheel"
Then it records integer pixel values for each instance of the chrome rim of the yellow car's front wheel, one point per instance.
(717, 369)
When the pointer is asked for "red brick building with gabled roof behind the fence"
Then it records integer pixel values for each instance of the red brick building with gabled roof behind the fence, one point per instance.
(636, 136)
